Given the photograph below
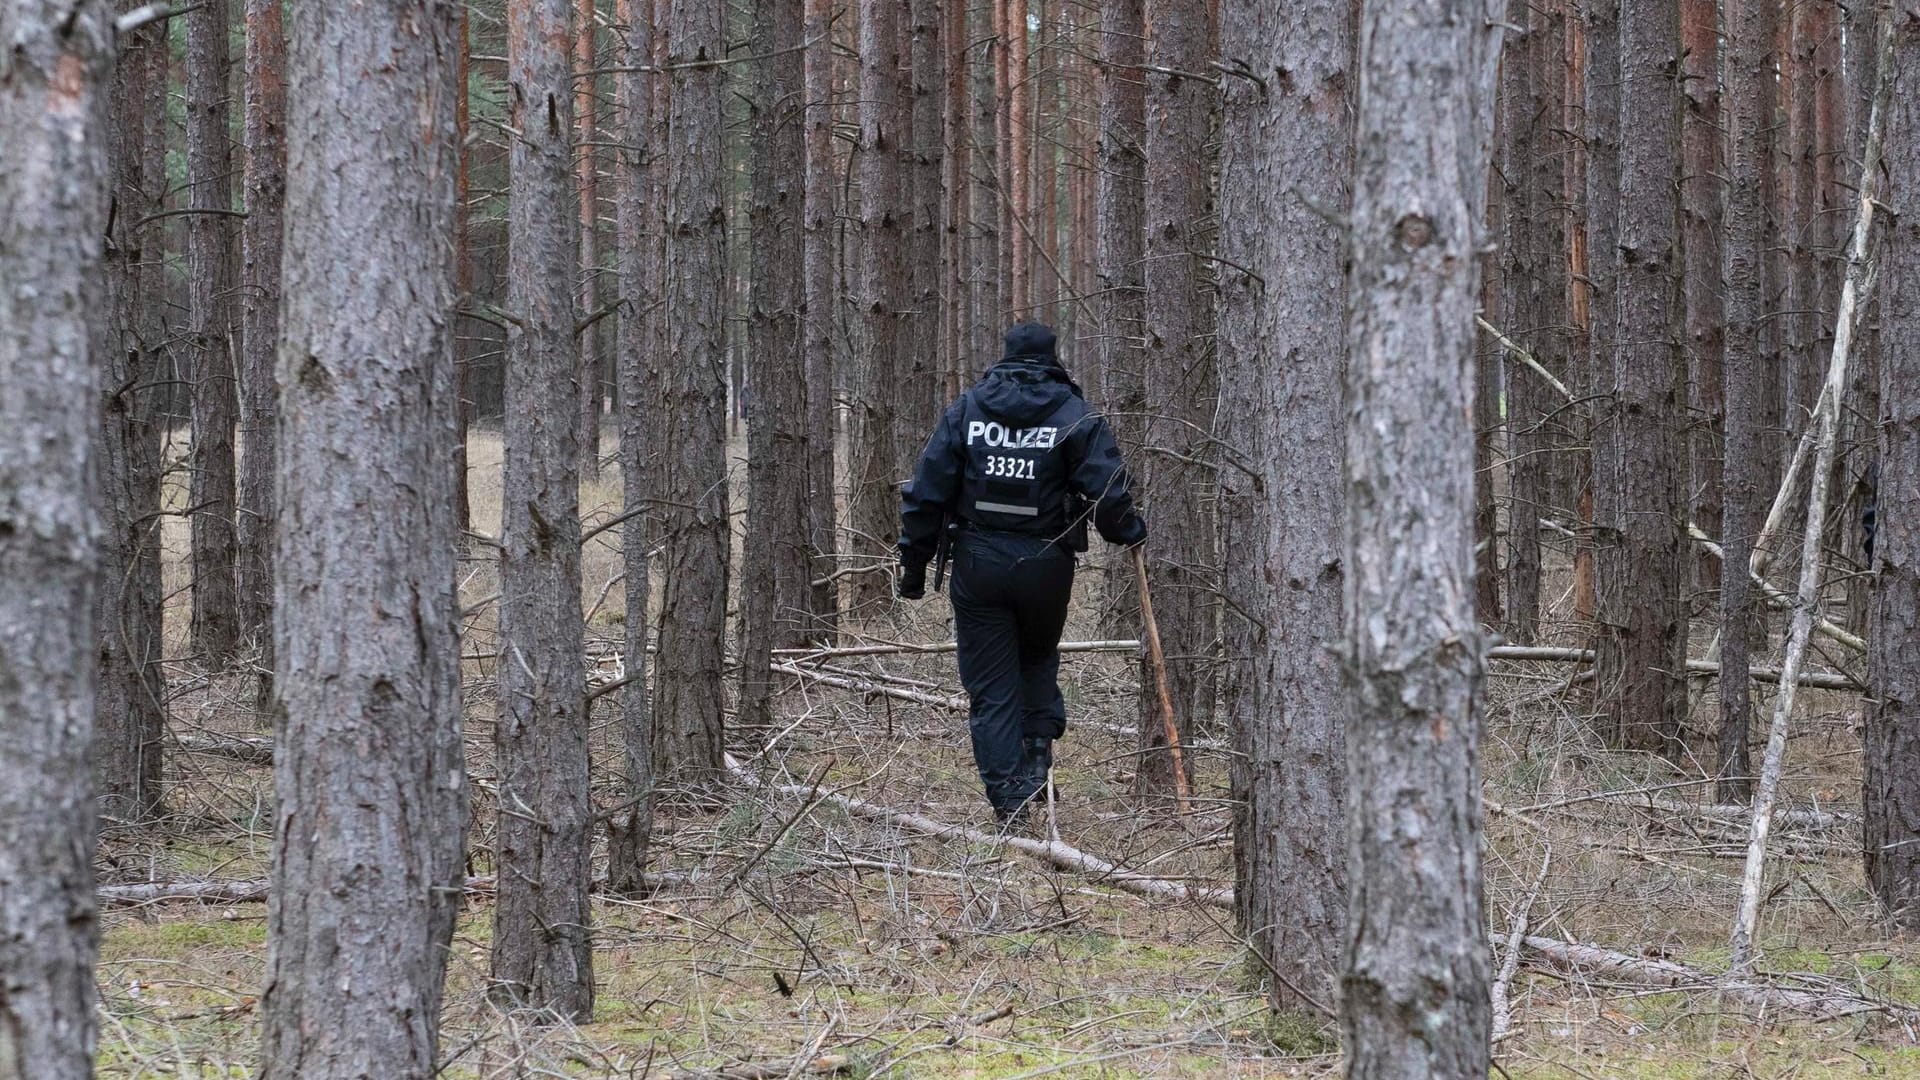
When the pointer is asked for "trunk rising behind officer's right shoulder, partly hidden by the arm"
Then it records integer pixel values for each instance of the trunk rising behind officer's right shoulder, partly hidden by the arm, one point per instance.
(1122, 257)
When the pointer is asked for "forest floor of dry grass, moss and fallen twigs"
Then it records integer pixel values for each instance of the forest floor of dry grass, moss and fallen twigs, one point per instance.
(853, 945)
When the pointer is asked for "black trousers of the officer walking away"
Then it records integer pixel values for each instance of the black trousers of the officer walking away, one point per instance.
(1011, 604)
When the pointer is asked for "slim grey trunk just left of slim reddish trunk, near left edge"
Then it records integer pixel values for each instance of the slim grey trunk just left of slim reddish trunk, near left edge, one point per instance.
(212, 287)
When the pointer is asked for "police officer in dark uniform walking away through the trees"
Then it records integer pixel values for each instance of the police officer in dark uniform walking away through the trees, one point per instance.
(1013, 474)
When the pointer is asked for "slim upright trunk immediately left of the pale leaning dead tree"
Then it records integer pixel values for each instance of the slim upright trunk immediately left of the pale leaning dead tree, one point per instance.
(1750, 103)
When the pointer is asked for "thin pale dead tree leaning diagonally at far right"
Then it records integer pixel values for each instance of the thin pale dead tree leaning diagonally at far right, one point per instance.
(1825, 428)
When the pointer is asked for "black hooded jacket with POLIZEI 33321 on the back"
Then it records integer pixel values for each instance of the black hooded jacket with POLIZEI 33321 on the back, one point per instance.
(1020, 453)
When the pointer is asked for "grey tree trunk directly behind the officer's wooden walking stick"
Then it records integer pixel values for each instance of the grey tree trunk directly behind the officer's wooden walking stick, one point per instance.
(1180, 378)
